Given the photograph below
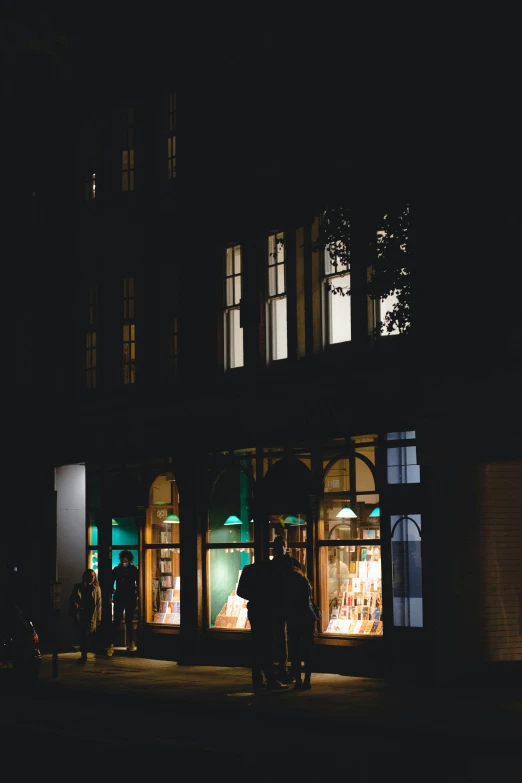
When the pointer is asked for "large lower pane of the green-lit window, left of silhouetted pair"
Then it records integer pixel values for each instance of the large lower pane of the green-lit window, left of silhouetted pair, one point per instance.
(227, 610)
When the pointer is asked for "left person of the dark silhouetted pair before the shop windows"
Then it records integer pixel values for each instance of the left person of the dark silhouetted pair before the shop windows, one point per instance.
(258, 586)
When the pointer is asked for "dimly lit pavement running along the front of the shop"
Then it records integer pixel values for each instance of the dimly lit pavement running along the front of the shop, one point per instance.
(482, 713)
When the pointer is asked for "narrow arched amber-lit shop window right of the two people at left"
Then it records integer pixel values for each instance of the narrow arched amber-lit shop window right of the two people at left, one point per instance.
(162, 553)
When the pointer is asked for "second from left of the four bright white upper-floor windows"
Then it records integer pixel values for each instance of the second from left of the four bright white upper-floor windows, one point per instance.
(277, 300)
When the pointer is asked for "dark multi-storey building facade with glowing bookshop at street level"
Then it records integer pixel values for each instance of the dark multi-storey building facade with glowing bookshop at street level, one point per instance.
(218, 376)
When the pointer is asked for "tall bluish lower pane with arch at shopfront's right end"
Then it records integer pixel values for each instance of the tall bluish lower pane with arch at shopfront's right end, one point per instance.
(407, 570)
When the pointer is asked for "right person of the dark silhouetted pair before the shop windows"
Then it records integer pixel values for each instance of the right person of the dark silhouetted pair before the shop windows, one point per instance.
(300, 624)
